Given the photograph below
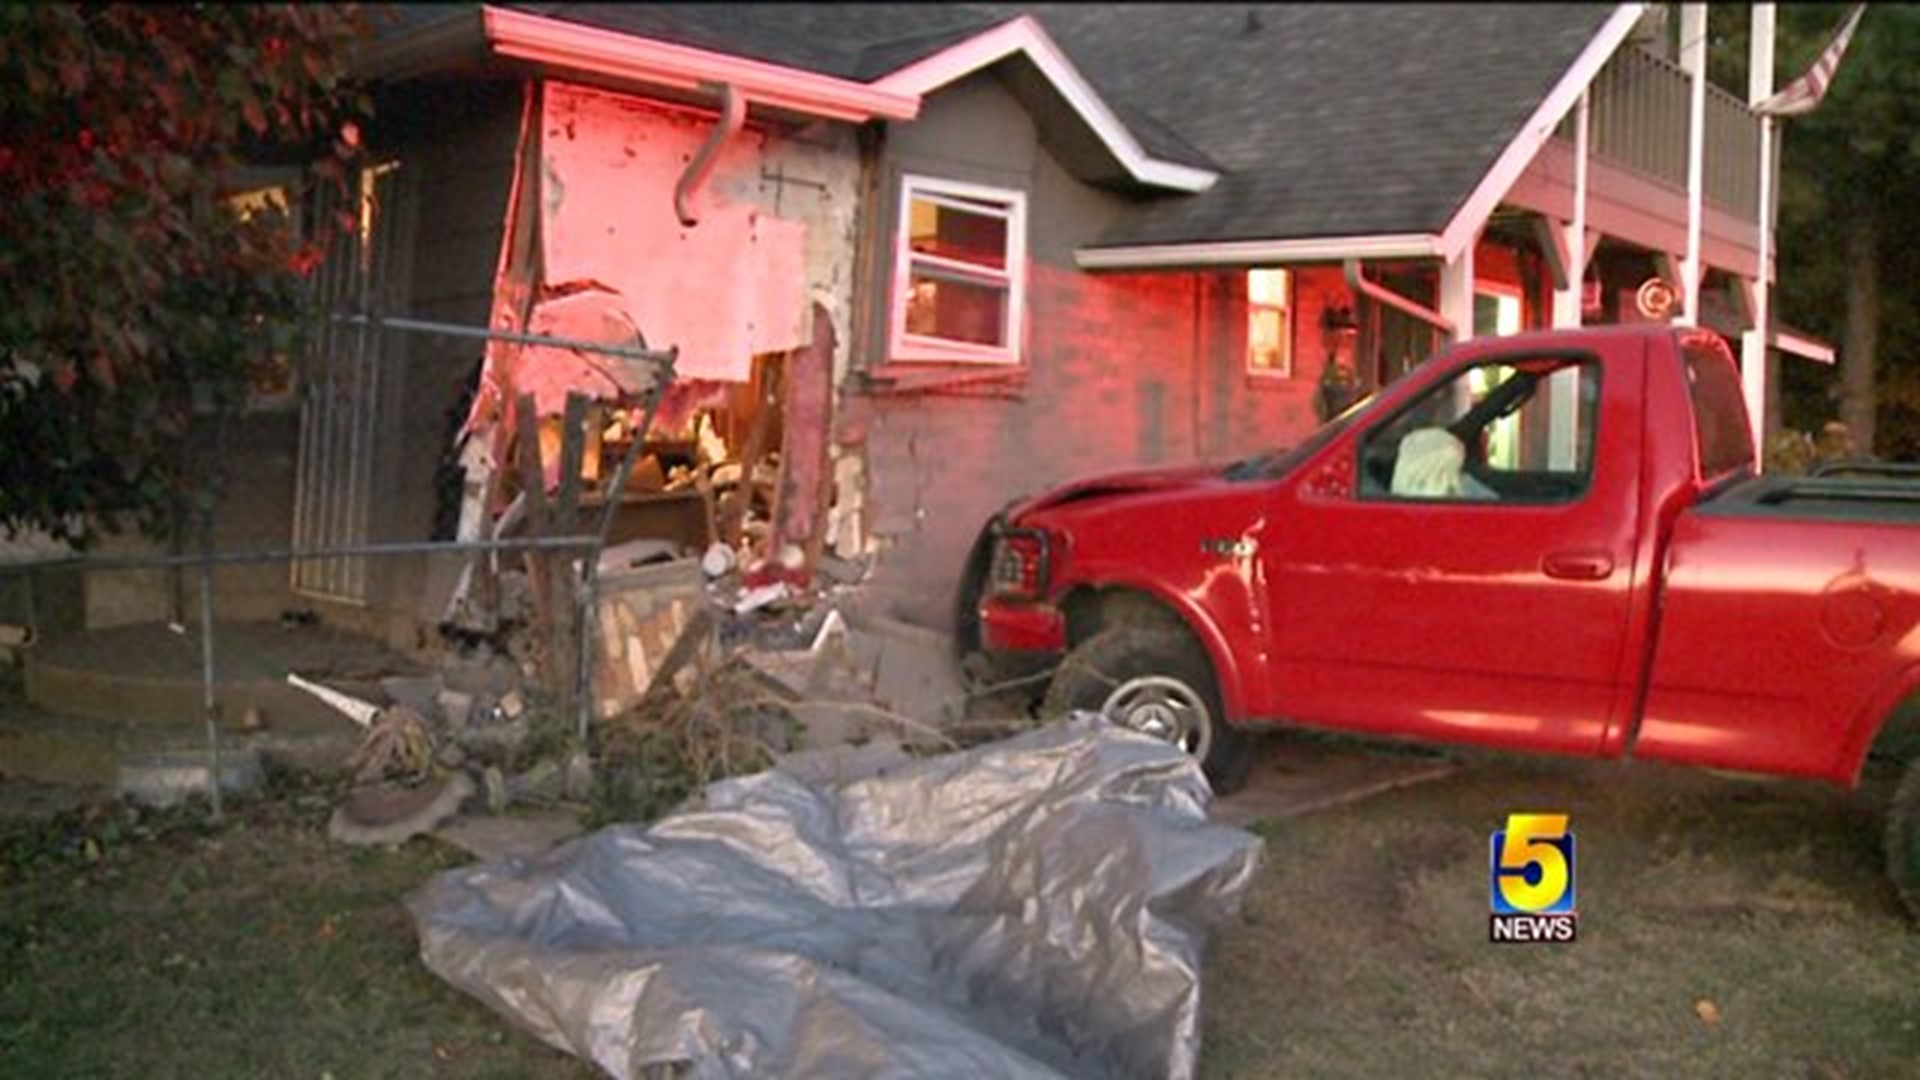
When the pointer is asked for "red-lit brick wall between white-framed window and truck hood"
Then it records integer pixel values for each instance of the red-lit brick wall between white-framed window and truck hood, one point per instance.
(1124, 370)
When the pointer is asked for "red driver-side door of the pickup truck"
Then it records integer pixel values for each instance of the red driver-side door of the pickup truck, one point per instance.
(1474, 583)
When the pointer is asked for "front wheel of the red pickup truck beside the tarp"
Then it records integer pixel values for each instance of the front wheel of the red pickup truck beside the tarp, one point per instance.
(1157, 683)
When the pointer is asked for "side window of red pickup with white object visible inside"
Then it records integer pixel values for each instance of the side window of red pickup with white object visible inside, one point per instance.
(1514, 431)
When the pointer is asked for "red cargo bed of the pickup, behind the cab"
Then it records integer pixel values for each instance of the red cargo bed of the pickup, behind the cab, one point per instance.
(1790, 618)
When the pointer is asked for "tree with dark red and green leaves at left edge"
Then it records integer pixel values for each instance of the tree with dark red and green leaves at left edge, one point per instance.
(137, 303)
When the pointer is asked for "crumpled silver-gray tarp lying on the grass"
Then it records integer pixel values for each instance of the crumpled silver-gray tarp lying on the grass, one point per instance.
(1028, 908)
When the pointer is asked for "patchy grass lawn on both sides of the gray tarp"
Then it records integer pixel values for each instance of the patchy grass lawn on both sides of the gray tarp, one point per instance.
(1727, 929)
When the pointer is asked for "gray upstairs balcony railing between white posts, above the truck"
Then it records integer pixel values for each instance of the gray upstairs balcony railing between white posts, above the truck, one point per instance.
(1641, 122)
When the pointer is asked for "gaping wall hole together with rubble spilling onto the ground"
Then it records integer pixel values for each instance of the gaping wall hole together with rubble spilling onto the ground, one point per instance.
(719, 626)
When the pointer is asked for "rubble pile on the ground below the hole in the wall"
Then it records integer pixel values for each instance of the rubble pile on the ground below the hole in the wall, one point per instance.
(698, 670)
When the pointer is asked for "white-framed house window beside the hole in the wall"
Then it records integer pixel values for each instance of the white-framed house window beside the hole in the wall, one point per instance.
(961, 274)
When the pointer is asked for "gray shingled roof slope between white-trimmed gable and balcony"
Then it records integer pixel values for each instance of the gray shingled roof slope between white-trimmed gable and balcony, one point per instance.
(1328, 120)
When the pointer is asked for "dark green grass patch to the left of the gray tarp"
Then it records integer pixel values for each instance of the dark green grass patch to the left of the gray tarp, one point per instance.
(256, 950)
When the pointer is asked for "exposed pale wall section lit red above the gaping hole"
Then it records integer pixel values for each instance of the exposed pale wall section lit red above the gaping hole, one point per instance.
(748, 262)
